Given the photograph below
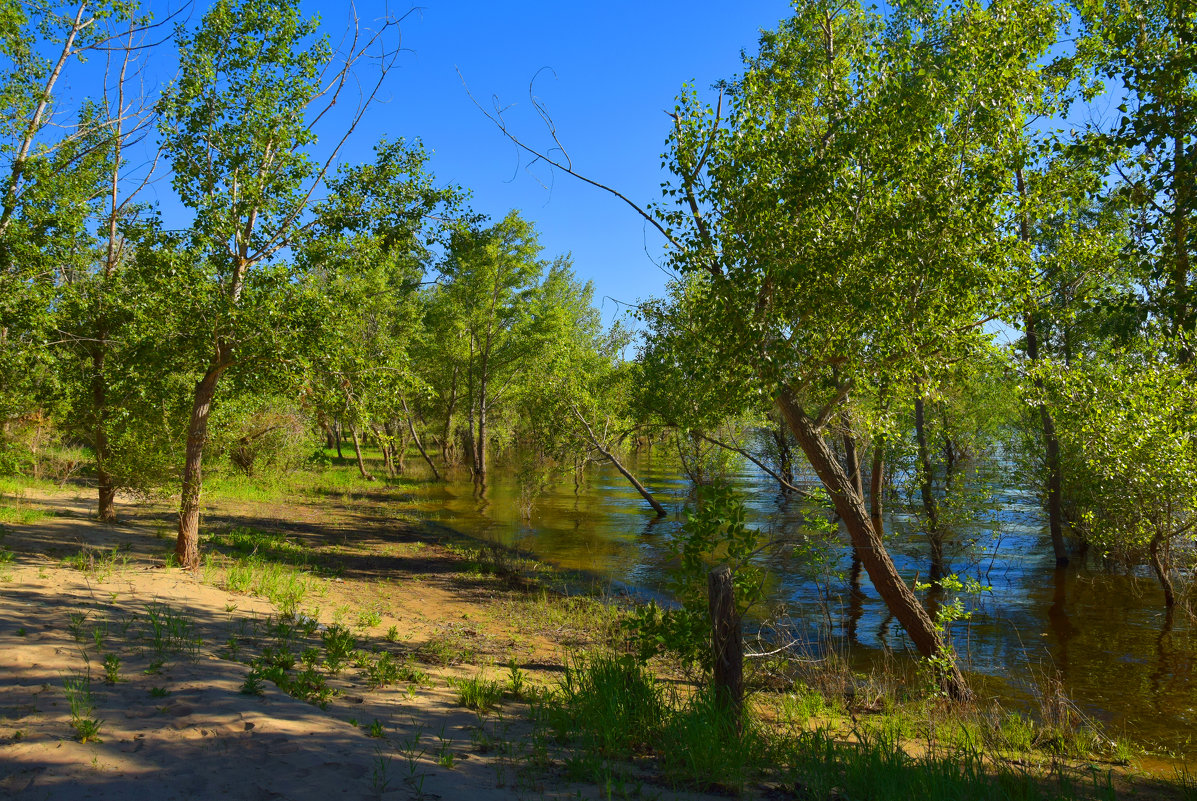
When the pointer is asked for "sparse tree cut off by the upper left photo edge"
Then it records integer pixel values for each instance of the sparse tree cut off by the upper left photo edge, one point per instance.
(51, 190)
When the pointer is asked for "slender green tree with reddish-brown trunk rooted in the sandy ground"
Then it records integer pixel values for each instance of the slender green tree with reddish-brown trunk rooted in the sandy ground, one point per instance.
(239, 128)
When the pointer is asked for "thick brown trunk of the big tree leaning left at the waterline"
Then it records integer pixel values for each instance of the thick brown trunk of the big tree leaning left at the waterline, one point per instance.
(867, 539)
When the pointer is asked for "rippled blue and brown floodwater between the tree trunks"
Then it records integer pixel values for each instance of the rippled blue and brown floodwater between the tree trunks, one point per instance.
(1104, 636)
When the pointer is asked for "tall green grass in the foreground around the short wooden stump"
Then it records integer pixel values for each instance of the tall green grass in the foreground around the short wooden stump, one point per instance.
(610, 713)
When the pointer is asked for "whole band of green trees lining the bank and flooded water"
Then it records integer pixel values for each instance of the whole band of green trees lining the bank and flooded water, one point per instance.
(897, 266)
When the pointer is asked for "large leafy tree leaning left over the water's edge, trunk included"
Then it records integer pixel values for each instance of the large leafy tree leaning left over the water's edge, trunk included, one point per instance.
(843, 215)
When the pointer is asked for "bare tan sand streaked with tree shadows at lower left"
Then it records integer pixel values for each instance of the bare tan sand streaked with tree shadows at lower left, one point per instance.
(185, 731)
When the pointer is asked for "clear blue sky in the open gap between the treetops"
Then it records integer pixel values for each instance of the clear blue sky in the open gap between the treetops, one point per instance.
(618, 68)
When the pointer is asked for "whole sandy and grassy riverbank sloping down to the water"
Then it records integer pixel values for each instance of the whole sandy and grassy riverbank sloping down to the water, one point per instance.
(370, 654)
